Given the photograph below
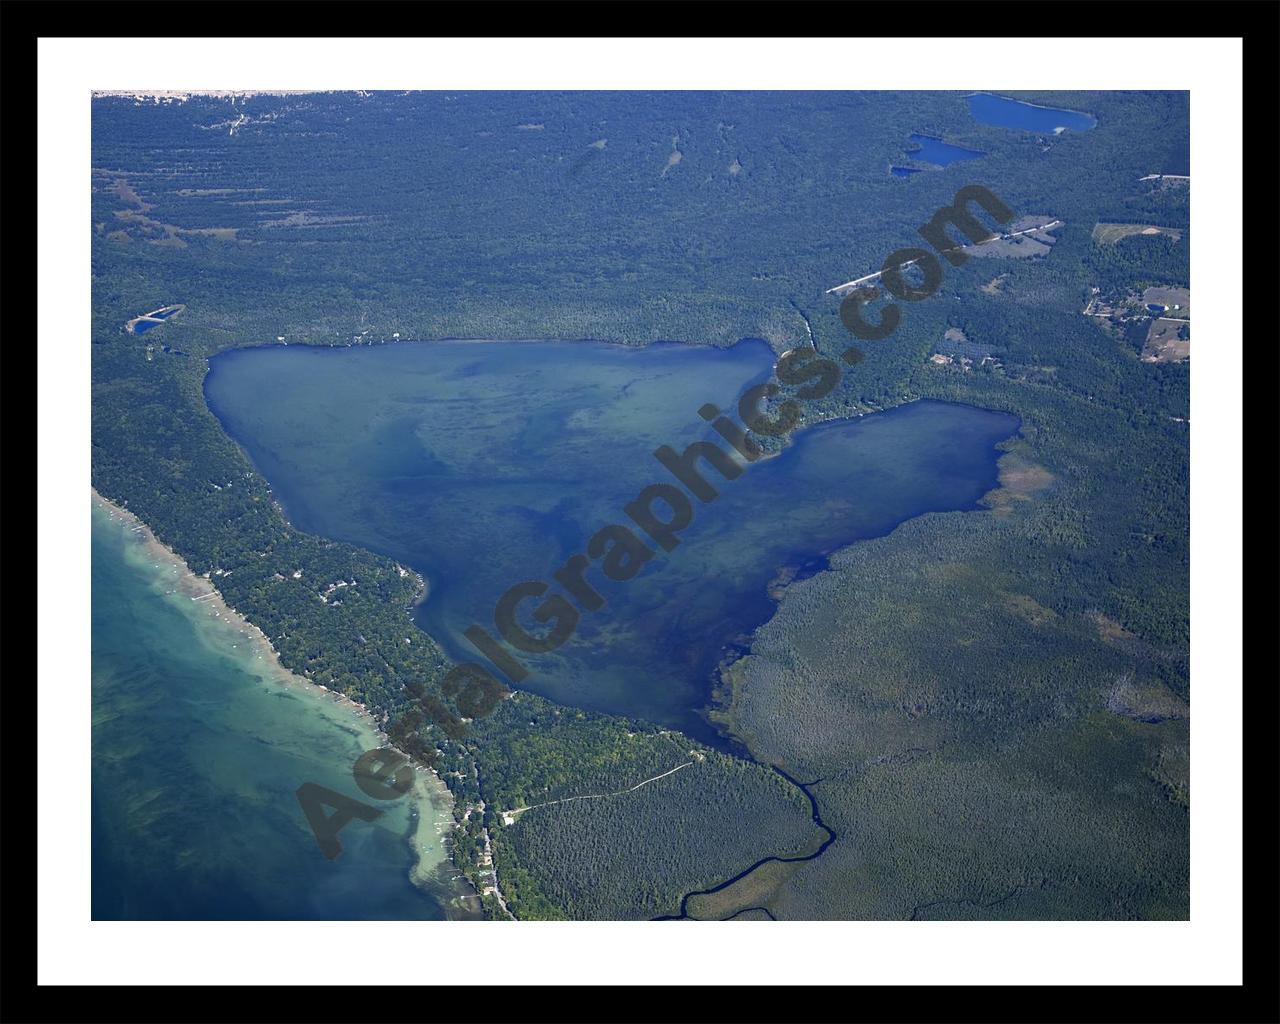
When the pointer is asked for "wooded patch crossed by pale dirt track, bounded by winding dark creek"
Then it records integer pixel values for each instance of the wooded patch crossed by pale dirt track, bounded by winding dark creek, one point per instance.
(620, 847)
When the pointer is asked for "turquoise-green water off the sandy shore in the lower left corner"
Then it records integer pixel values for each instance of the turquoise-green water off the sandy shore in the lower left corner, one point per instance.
(198, 752)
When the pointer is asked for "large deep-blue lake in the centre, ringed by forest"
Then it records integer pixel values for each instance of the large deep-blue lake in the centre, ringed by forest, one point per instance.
(487, 464)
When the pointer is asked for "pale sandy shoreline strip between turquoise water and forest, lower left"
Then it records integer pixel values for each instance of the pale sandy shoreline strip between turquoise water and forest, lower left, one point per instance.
(432, 802)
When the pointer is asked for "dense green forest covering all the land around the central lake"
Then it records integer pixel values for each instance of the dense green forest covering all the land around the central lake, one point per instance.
(999, 701)
